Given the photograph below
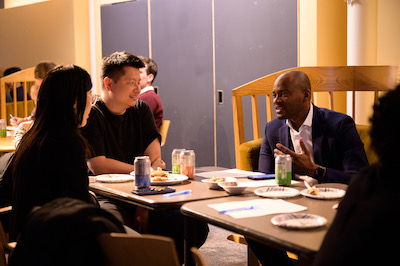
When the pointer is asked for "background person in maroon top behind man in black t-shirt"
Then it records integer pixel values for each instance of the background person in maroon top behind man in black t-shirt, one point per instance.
(147, 76)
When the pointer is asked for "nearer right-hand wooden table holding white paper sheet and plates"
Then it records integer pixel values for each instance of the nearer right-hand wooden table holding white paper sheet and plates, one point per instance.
(303, 242)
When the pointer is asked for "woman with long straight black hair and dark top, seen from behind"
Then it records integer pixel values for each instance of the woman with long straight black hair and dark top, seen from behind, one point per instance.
(50, 161)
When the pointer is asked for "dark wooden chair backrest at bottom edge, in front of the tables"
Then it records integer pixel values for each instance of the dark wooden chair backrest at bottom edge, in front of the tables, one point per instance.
(150, 250)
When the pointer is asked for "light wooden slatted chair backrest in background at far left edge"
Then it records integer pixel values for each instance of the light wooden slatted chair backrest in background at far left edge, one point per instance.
(27, 79)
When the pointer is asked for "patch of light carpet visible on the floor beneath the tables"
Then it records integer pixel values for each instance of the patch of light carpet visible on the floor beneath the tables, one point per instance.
(220, 251)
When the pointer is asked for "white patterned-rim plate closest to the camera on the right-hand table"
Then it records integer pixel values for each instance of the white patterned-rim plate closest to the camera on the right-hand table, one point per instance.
(298, 220)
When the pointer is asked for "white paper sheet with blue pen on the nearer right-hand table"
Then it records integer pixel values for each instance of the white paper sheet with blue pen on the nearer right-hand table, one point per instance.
(257, 207)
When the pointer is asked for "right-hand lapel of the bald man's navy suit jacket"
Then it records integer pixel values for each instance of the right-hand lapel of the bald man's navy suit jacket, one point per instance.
(318, 129)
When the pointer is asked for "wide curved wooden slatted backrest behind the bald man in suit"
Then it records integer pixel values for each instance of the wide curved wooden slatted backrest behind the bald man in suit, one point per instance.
(328, 79)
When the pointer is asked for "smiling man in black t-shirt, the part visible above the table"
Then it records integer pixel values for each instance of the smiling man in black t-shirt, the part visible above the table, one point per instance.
(121, 127)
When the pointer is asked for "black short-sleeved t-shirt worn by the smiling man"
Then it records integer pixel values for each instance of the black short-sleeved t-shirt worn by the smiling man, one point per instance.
(120, 137)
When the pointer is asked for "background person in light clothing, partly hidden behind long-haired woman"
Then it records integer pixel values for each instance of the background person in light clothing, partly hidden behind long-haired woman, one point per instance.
(24, 124)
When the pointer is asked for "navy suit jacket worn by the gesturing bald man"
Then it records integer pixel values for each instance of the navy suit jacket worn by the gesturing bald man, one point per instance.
(336, 145)
